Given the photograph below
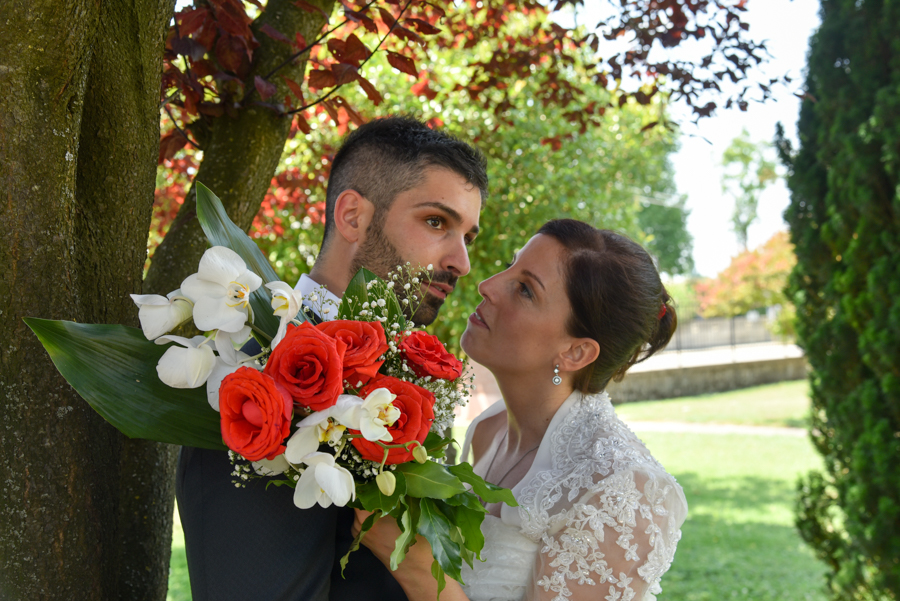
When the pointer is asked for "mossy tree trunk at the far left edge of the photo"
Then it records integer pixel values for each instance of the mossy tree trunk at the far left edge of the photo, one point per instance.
(54, 451)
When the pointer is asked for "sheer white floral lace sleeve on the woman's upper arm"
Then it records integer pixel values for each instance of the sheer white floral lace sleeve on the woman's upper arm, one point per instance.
(614, 543)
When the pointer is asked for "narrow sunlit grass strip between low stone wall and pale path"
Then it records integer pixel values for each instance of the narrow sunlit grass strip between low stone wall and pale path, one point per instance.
(782, 404)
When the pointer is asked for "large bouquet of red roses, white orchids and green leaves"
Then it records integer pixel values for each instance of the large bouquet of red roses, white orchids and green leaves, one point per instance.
(350, 411)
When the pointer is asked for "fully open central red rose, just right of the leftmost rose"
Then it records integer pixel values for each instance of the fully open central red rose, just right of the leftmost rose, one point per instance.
(309, 364)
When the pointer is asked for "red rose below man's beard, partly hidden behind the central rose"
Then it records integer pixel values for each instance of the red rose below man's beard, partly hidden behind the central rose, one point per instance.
(365, 342)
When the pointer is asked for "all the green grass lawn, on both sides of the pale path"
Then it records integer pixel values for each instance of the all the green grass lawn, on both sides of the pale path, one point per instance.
(739, 541)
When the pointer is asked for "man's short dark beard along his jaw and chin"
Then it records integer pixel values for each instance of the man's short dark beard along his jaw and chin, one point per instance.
(379, 256)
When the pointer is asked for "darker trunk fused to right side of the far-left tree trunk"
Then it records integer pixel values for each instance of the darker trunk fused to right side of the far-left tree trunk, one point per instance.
(115, 182)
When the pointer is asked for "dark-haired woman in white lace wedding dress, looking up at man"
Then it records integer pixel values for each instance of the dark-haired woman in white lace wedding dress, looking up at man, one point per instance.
(598, 516)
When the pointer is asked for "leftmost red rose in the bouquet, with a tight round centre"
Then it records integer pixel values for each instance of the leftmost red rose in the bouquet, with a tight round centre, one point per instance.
(256, 414)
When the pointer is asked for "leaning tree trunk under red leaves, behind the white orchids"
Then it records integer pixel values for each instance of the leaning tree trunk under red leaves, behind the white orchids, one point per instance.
(240, 155)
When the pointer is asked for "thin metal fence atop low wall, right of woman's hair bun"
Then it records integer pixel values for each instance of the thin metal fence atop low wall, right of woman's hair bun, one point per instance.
(721, 331)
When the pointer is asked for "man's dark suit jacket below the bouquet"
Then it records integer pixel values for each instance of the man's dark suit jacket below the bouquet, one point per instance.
(253, 544)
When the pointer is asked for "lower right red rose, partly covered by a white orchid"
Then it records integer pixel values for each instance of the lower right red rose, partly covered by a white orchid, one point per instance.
(416, 407)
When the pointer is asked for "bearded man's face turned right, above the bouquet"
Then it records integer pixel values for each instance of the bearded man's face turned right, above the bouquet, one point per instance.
(431, 224)
